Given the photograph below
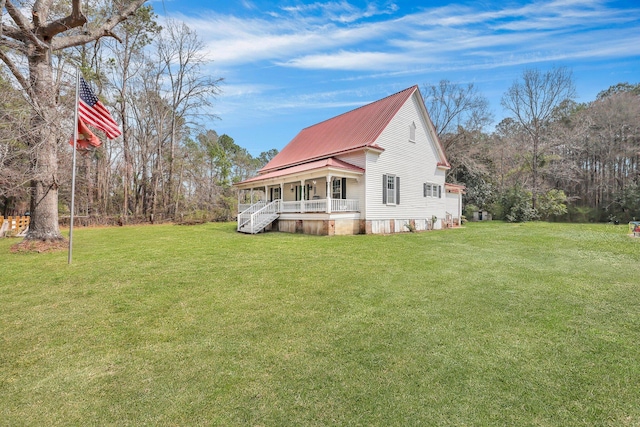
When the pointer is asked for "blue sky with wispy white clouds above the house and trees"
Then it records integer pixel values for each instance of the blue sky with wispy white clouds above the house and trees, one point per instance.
(290, 64)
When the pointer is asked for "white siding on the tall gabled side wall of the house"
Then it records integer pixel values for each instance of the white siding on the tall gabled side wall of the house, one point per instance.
(414, 162)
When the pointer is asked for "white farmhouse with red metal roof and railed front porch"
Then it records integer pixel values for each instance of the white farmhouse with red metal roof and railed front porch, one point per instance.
(377, 169)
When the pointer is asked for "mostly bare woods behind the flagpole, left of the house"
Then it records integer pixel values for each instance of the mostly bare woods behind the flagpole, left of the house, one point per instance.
(166, 165)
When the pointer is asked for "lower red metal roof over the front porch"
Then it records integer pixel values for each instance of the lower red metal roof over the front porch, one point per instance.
(298, 172)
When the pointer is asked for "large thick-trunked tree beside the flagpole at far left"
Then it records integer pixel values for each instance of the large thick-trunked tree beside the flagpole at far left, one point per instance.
(27, 47)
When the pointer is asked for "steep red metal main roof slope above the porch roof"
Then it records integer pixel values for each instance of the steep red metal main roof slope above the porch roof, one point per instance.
(355, 129)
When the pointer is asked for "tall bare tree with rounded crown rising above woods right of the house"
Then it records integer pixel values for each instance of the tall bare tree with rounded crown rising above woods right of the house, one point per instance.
(533, 100)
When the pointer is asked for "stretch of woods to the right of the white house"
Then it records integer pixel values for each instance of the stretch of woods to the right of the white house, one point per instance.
(551, 158)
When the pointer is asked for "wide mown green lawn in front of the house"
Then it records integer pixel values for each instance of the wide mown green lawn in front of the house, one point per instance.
(493, 324)
